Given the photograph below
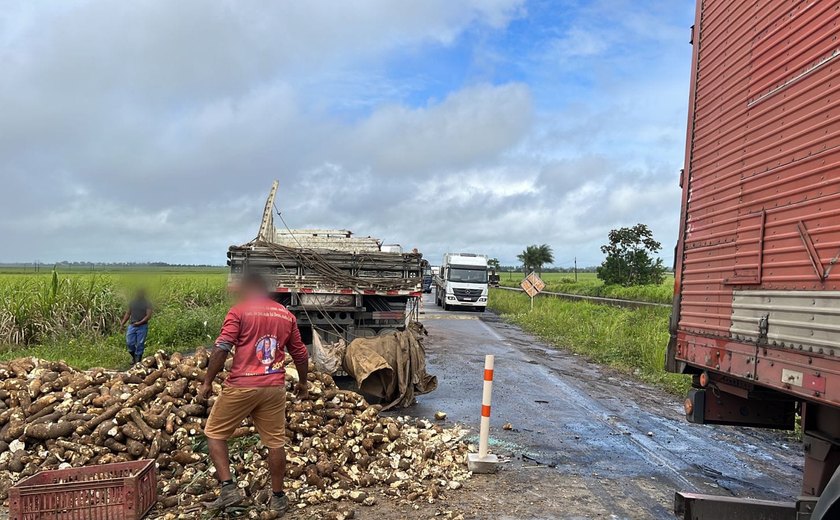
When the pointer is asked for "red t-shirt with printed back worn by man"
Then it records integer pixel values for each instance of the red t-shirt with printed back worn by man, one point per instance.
(261, 330)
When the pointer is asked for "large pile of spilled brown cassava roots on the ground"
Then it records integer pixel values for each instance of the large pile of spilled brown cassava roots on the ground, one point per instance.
(339, 448)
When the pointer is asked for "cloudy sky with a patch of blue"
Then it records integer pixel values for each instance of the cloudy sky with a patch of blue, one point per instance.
(152, 130)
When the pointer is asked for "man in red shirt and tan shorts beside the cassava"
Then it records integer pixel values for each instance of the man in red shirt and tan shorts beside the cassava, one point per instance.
(258, 331)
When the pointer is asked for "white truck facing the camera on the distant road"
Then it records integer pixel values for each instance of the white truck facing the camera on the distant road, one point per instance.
(462, 281)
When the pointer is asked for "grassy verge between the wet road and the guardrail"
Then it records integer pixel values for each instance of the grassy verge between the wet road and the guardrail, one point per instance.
(633, 340)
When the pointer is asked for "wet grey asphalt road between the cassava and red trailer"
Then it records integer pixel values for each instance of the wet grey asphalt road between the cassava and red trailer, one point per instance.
(590, 426)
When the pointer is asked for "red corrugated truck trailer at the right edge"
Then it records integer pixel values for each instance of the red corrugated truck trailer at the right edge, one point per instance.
(756, 314)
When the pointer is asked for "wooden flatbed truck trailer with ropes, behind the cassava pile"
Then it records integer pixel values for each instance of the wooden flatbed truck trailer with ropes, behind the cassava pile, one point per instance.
(339, 284)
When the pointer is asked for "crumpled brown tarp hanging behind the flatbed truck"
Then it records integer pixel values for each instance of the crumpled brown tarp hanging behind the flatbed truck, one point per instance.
(391, 367)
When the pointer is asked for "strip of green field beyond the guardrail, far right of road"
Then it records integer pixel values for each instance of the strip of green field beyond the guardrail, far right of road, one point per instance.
(589, 285)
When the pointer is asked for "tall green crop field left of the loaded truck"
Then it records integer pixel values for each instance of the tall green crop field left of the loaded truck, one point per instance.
(75, 317)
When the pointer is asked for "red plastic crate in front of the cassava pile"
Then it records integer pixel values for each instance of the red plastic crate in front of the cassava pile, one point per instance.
(121, 491)
